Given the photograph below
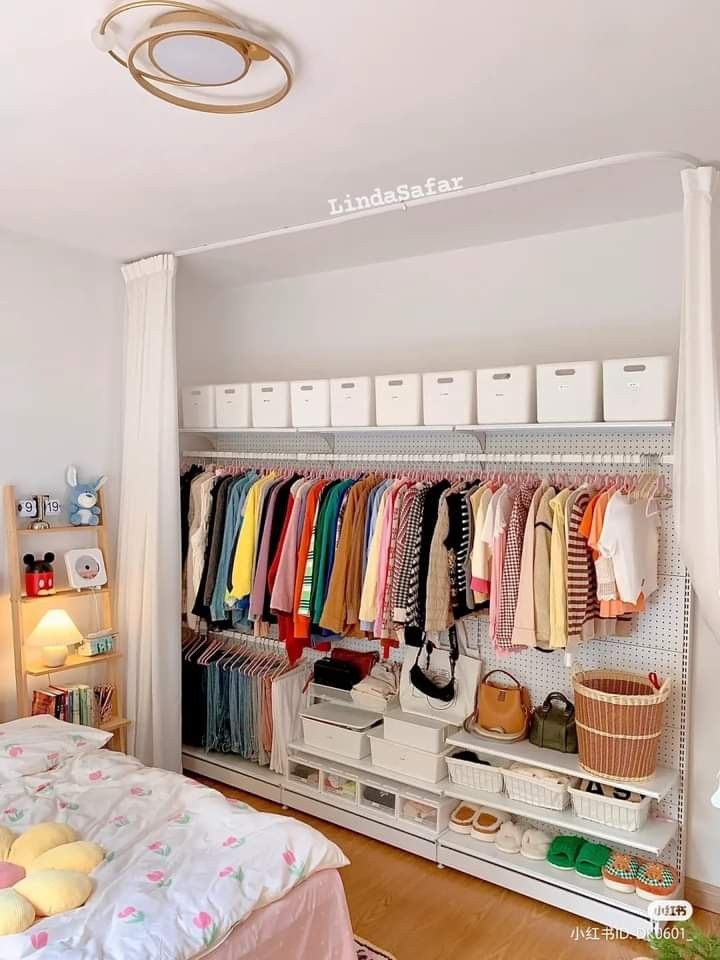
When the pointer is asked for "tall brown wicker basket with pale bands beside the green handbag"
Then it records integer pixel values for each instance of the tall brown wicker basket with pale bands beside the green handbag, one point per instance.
(619, 718)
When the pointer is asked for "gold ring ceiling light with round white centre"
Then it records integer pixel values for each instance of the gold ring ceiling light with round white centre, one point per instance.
(199, 53)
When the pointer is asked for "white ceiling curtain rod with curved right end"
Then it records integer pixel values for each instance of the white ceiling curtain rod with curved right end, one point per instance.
(552, 173)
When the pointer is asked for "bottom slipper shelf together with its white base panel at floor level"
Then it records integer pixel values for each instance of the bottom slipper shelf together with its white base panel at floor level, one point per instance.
(477, 855)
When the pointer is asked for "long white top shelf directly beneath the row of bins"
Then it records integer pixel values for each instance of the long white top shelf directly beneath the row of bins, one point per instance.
(659, 426)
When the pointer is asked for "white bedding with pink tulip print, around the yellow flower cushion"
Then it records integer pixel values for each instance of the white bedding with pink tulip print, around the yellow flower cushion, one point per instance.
(183, 864)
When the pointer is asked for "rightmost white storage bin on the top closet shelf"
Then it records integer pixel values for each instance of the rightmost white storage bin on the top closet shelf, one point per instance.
(641, 388)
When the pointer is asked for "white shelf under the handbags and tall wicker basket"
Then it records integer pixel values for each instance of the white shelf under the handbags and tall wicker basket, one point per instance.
(523, 751)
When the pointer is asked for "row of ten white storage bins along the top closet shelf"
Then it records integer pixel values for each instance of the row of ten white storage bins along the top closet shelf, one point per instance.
(641, 388)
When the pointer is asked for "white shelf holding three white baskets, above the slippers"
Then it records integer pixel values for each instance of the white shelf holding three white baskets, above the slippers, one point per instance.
(654, 836)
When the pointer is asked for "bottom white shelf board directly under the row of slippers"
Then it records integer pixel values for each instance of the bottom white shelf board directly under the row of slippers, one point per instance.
(542, 870)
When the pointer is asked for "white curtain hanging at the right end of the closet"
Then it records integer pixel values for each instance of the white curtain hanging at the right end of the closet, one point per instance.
(697, 430)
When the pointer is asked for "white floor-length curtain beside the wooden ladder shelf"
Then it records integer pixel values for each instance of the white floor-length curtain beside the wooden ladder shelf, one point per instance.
(149, 540)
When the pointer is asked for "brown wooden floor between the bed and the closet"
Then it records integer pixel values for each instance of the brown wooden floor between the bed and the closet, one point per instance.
(419, 912)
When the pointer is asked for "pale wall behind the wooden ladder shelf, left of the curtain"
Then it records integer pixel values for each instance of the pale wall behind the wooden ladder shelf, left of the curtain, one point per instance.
(60, 379)
